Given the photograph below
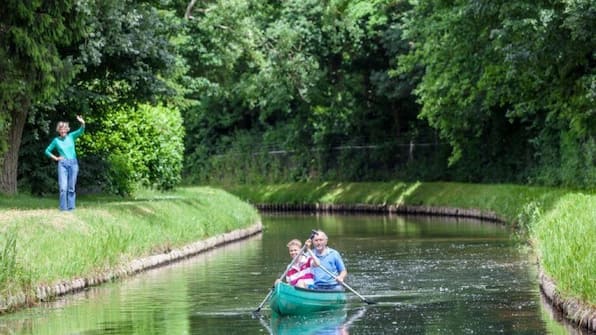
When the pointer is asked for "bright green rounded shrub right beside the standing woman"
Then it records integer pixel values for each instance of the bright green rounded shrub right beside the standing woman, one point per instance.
(141, 147)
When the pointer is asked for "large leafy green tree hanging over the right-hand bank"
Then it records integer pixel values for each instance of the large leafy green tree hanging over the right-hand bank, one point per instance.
(509, 84)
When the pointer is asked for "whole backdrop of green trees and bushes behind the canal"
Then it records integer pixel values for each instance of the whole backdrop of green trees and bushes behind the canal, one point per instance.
(270, 91)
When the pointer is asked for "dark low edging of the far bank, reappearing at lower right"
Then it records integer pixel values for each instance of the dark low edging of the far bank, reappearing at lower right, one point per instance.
(573, 310)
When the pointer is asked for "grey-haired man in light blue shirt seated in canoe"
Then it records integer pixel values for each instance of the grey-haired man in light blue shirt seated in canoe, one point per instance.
(331, 260)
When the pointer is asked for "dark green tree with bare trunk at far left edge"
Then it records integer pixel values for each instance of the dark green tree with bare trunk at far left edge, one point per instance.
(32, 68)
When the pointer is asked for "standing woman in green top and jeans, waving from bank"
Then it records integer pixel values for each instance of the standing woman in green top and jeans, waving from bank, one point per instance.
(68, 165)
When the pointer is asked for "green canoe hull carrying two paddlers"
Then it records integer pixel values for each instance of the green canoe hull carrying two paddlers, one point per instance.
(290, 300)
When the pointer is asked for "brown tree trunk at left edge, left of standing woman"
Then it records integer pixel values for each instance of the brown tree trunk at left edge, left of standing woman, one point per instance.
(10, 162)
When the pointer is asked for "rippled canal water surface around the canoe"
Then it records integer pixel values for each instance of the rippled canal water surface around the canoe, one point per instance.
(426, 275)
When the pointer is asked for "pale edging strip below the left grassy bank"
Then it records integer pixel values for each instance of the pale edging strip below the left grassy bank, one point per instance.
(47, 293)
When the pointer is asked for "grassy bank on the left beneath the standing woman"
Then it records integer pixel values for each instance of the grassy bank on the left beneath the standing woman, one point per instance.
(41, 245)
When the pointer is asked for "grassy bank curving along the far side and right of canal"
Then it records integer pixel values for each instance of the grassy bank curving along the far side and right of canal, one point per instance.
(562, 223)
